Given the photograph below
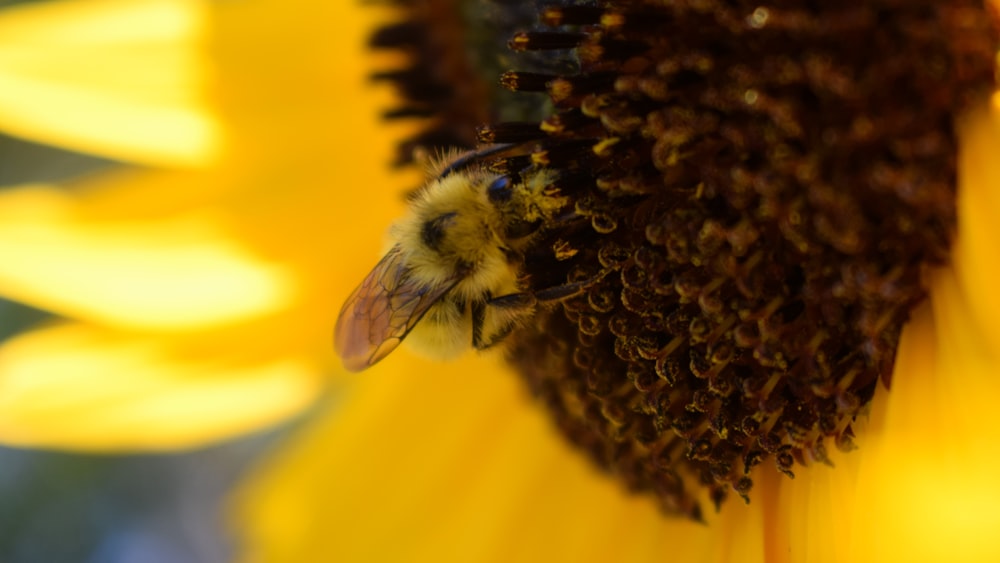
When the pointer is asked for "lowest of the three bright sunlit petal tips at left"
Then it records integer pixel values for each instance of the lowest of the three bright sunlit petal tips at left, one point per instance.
(83, 388)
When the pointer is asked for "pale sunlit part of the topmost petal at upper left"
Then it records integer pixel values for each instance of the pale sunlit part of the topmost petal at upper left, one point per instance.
(124, 79)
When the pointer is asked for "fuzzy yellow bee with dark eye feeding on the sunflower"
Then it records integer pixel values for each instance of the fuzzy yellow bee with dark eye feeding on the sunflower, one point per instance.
(453, 276)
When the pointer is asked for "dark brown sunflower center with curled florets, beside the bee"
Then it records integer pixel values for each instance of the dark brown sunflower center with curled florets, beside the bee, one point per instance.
(766, 185)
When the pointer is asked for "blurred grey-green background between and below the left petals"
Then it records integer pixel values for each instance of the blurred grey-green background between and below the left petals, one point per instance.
(60, 507)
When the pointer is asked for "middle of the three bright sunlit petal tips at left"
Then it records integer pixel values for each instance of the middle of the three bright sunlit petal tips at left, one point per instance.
(177, 271)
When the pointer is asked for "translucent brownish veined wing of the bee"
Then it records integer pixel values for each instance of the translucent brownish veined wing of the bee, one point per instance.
(382, 311)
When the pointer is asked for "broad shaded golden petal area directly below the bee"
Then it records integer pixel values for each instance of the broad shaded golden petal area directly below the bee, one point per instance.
(454, 464)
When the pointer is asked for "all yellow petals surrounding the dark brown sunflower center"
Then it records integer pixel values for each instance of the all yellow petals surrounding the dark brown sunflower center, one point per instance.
(200, 294)
